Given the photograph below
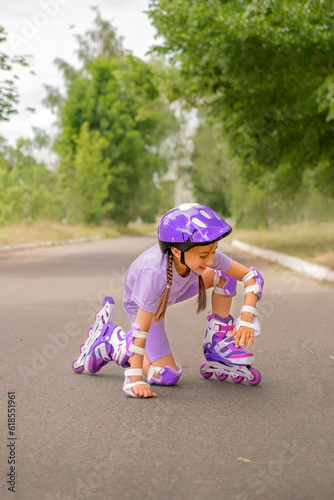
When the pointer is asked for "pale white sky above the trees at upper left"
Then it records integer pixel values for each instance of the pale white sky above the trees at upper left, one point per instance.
(44, 30)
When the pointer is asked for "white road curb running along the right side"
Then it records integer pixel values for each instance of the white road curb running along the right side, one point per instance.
(300, 265)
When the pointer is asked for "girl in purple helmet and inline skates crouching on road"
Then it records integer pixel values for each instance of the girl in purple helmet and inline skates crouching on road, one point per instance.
(185, 263)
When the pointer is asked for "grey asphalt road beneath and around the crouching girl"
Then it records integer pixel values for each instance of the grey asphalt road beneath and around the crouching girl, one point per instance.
(80, 437)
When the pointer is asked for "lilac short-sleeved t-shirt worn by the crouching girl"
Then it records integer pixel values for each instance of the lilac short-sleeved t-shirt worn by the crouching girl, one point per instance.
(146, 280)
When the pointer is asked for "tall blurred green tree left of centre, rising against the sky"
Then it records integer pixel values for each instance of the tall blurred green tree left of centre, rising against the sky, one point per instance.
(118, 96)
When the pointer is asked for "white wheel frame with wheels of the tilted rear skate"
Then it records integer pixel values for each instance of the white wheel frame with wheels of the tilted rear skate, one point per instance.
(102, 317)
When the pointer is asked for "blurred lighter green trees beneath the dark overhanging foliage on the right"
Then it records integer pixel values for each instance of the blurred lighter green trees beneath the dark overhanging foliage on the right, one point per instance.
(217, 182)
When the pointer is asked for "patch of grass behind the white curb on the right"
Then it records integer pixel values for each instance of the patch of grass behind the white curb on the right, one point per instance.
(313, 242)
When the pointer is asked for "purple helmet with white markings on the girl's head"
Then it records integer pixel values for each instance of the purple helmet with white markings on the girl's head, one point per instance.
(190, 225)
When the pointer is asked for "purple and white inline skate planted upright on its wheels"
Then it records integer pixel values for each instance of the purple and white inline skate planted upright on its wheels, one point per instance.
(222, 356)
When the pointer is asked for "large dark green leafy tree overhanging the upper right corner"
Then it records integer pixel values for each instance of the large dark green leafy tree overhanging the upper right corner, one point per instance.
(265, 68)
